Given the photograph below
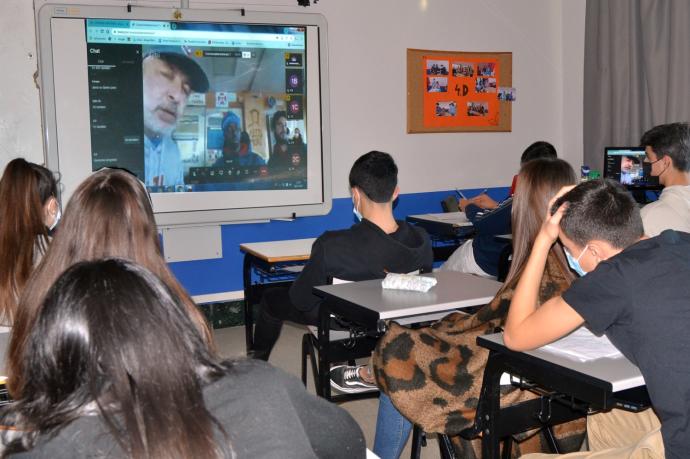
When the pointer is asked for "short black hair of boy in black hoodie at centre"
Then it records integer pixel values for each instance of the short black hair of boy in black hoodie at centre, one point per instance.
(376, 174)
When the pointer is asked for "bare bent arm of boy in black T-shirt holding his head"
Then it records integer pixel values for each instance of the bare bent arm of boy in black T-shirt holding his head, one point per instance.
(528, 327)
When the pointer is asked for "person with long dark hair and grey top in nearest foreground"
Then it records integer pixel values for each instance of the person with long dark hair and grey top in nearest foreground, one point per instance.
(115, 366)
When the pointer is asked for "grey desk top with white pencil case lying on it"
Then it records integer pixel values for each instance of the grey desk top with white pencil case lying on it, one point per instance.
(454, 290)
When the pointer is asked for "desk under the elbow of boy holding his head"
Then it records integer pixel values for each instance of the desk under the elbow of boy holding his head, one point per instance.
(570, 390)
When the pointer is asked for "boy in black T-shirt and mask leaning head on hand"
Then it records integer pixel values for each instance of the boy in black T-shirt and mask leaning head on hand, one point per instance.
(636, 292)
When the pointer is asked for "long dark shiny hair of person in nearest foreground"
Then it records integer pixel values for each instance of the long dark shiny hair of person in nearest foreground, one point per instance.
(110, 332)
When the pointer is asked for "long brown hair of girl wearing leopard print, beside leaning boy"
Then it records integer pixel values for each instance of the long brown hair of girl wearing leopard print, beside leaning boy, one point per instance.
(538, 182)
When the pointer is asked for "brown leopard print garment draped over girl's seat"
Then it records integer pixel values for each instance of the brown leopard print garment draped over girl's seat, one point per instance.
(433, 375)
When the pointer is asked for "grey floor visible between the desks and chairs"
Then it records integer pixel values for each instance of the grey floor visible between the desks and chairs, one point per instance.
(286, 355)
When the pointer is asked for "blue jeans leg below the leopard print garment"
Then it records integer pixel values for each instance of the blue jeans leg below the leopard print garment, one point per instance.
(392, 430)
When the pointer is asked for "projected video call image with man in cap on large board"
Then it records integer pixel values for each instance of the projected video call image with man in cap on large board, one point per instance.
(193, 107)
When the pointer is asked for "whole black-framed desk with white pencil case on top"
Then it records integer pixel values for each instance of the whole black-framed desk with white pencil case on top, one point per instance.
(368, 305)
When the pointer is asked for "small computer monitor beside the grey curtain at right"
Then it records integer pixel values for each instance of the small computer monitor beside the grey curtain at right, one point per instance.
(624, 164)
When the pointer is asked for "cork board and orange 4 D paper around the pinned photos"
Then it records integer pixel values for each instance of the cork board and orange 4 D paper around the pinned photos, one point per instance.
(418, 95)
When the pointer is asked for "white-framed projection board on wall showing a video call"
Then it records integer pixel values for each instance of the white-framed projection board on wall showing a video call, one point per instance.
(224, 117)
